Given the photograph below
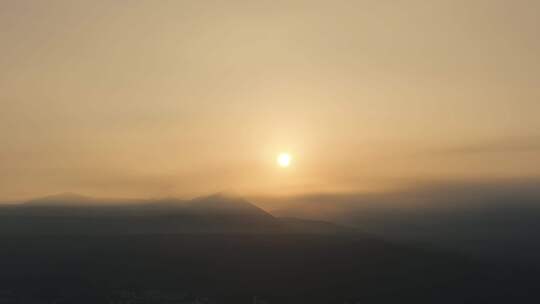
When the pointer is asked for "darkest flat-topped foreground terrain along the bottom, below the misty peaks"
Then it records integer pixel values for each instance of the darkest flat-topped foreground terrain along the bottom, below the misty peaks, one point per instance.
(246, 269)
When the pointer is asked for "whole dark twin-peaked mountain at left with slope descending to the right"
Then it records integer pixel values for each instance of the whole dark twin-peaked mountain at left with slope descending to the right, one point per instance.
(223, 247)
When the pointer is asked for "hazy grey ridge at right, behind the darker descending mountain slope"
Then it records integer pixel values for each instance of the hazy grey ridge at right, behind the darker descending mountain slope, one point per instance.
(488, 221)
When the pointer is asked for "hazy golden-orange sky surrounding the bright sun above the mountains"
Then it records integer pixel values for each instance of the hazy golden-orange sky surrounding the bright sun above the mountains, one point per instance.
(159, 98)
